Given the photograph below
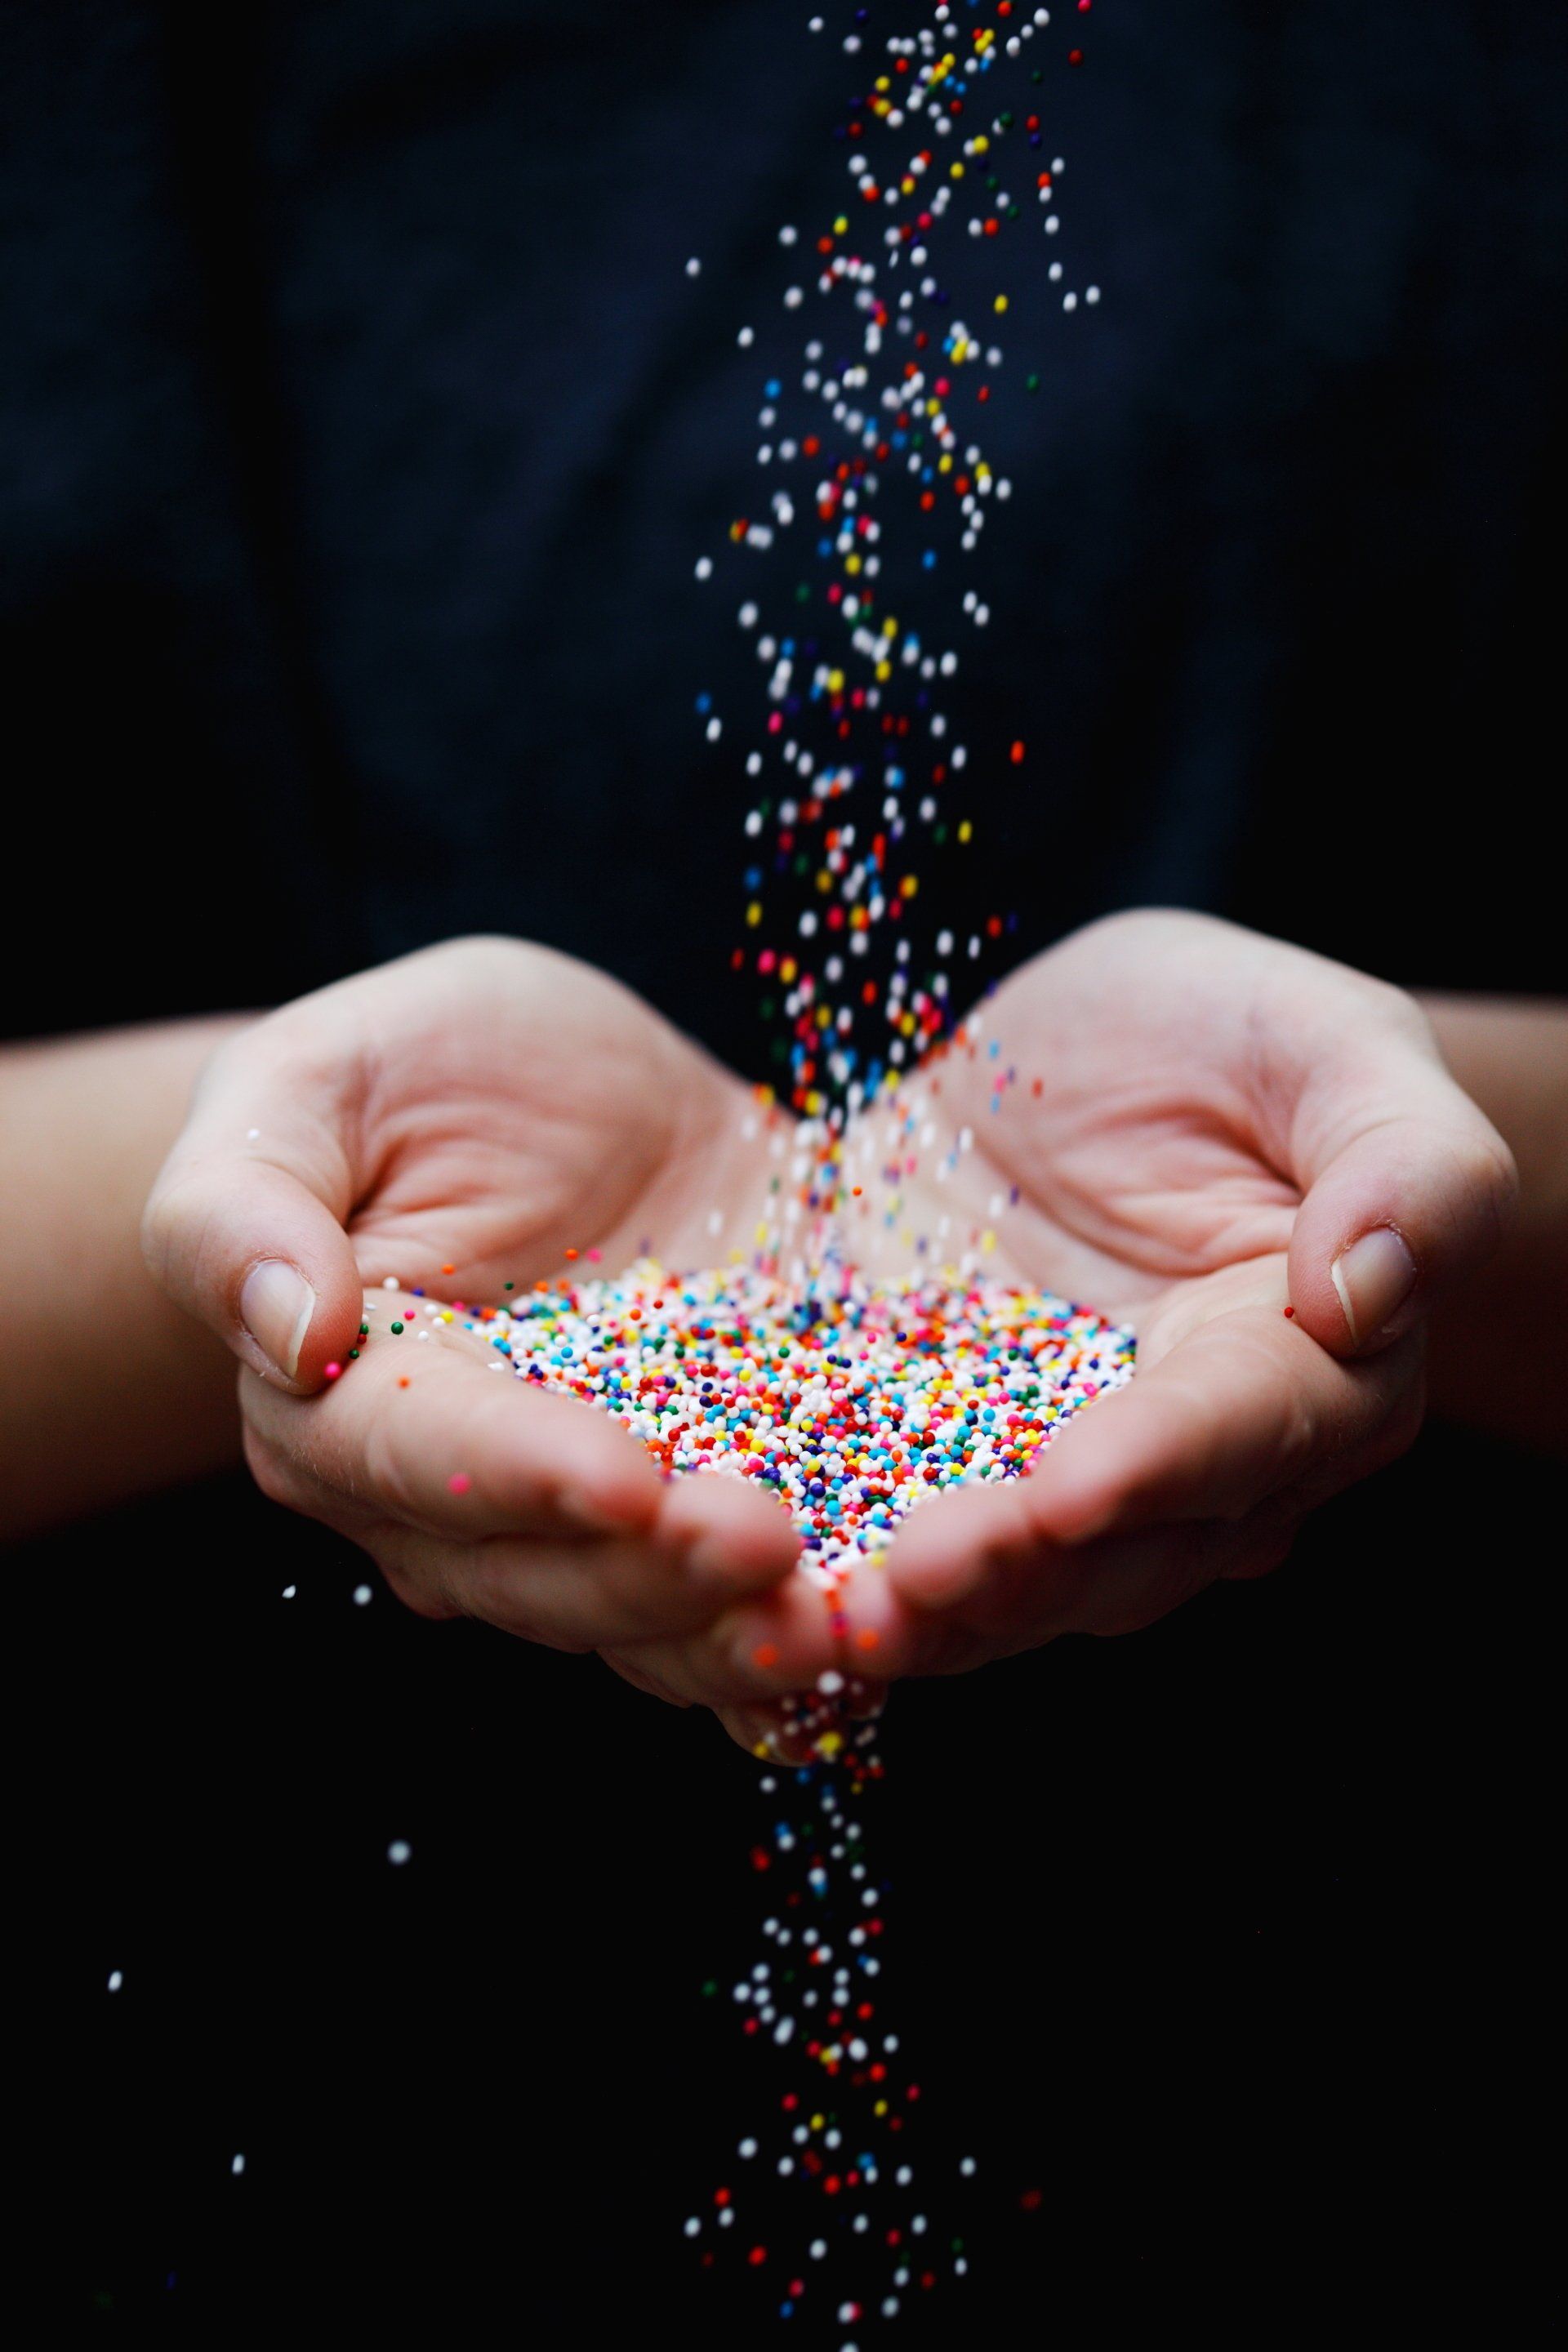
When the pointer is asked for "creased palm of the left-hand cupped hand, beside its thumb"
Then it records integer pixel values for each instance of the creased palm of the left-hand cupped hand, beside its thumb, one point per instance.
(518, 1107)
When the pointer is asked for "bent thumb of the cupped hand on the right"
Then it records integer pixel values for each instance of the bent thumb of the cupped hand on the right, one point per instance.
(1409, 1187)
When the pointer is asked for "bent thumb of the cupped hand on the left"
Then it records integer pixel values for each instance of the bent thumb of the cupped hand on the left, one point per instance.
(246, 1222)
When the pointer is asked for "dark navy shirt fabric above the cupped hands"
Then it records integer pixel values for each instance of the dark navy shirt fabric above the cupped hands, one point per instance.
(366, 429)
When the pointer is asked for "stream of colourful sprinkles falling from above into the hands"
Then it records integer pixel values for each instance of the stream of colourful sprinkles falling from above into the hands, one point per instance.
(878, 488)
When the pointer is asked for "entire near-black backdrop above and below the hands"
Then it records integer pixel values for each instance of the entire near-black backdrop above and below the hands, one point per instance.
(361, 432)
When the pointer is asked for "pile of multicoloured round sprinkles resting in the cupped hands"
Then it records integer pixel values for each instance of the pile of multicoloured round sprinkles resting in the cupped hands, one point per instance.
(852, 1401)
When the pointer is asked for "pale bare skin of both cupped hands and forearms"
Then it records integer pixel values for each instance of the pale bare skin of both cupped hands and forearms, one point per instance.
(1221, 1121)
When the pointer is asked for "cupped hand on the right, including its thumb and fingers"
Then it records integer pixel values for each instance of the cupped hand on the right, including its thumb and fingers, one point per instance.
(1254, 1158)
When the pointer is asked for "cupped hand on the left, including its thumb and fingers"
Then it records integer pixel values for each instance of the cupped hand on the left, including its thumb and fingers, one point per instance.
(460, 1123)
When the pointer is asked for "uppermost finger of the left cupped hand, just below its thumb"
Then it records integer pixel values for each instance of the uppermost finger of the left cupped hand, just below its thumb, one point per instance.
(441, 1443)
